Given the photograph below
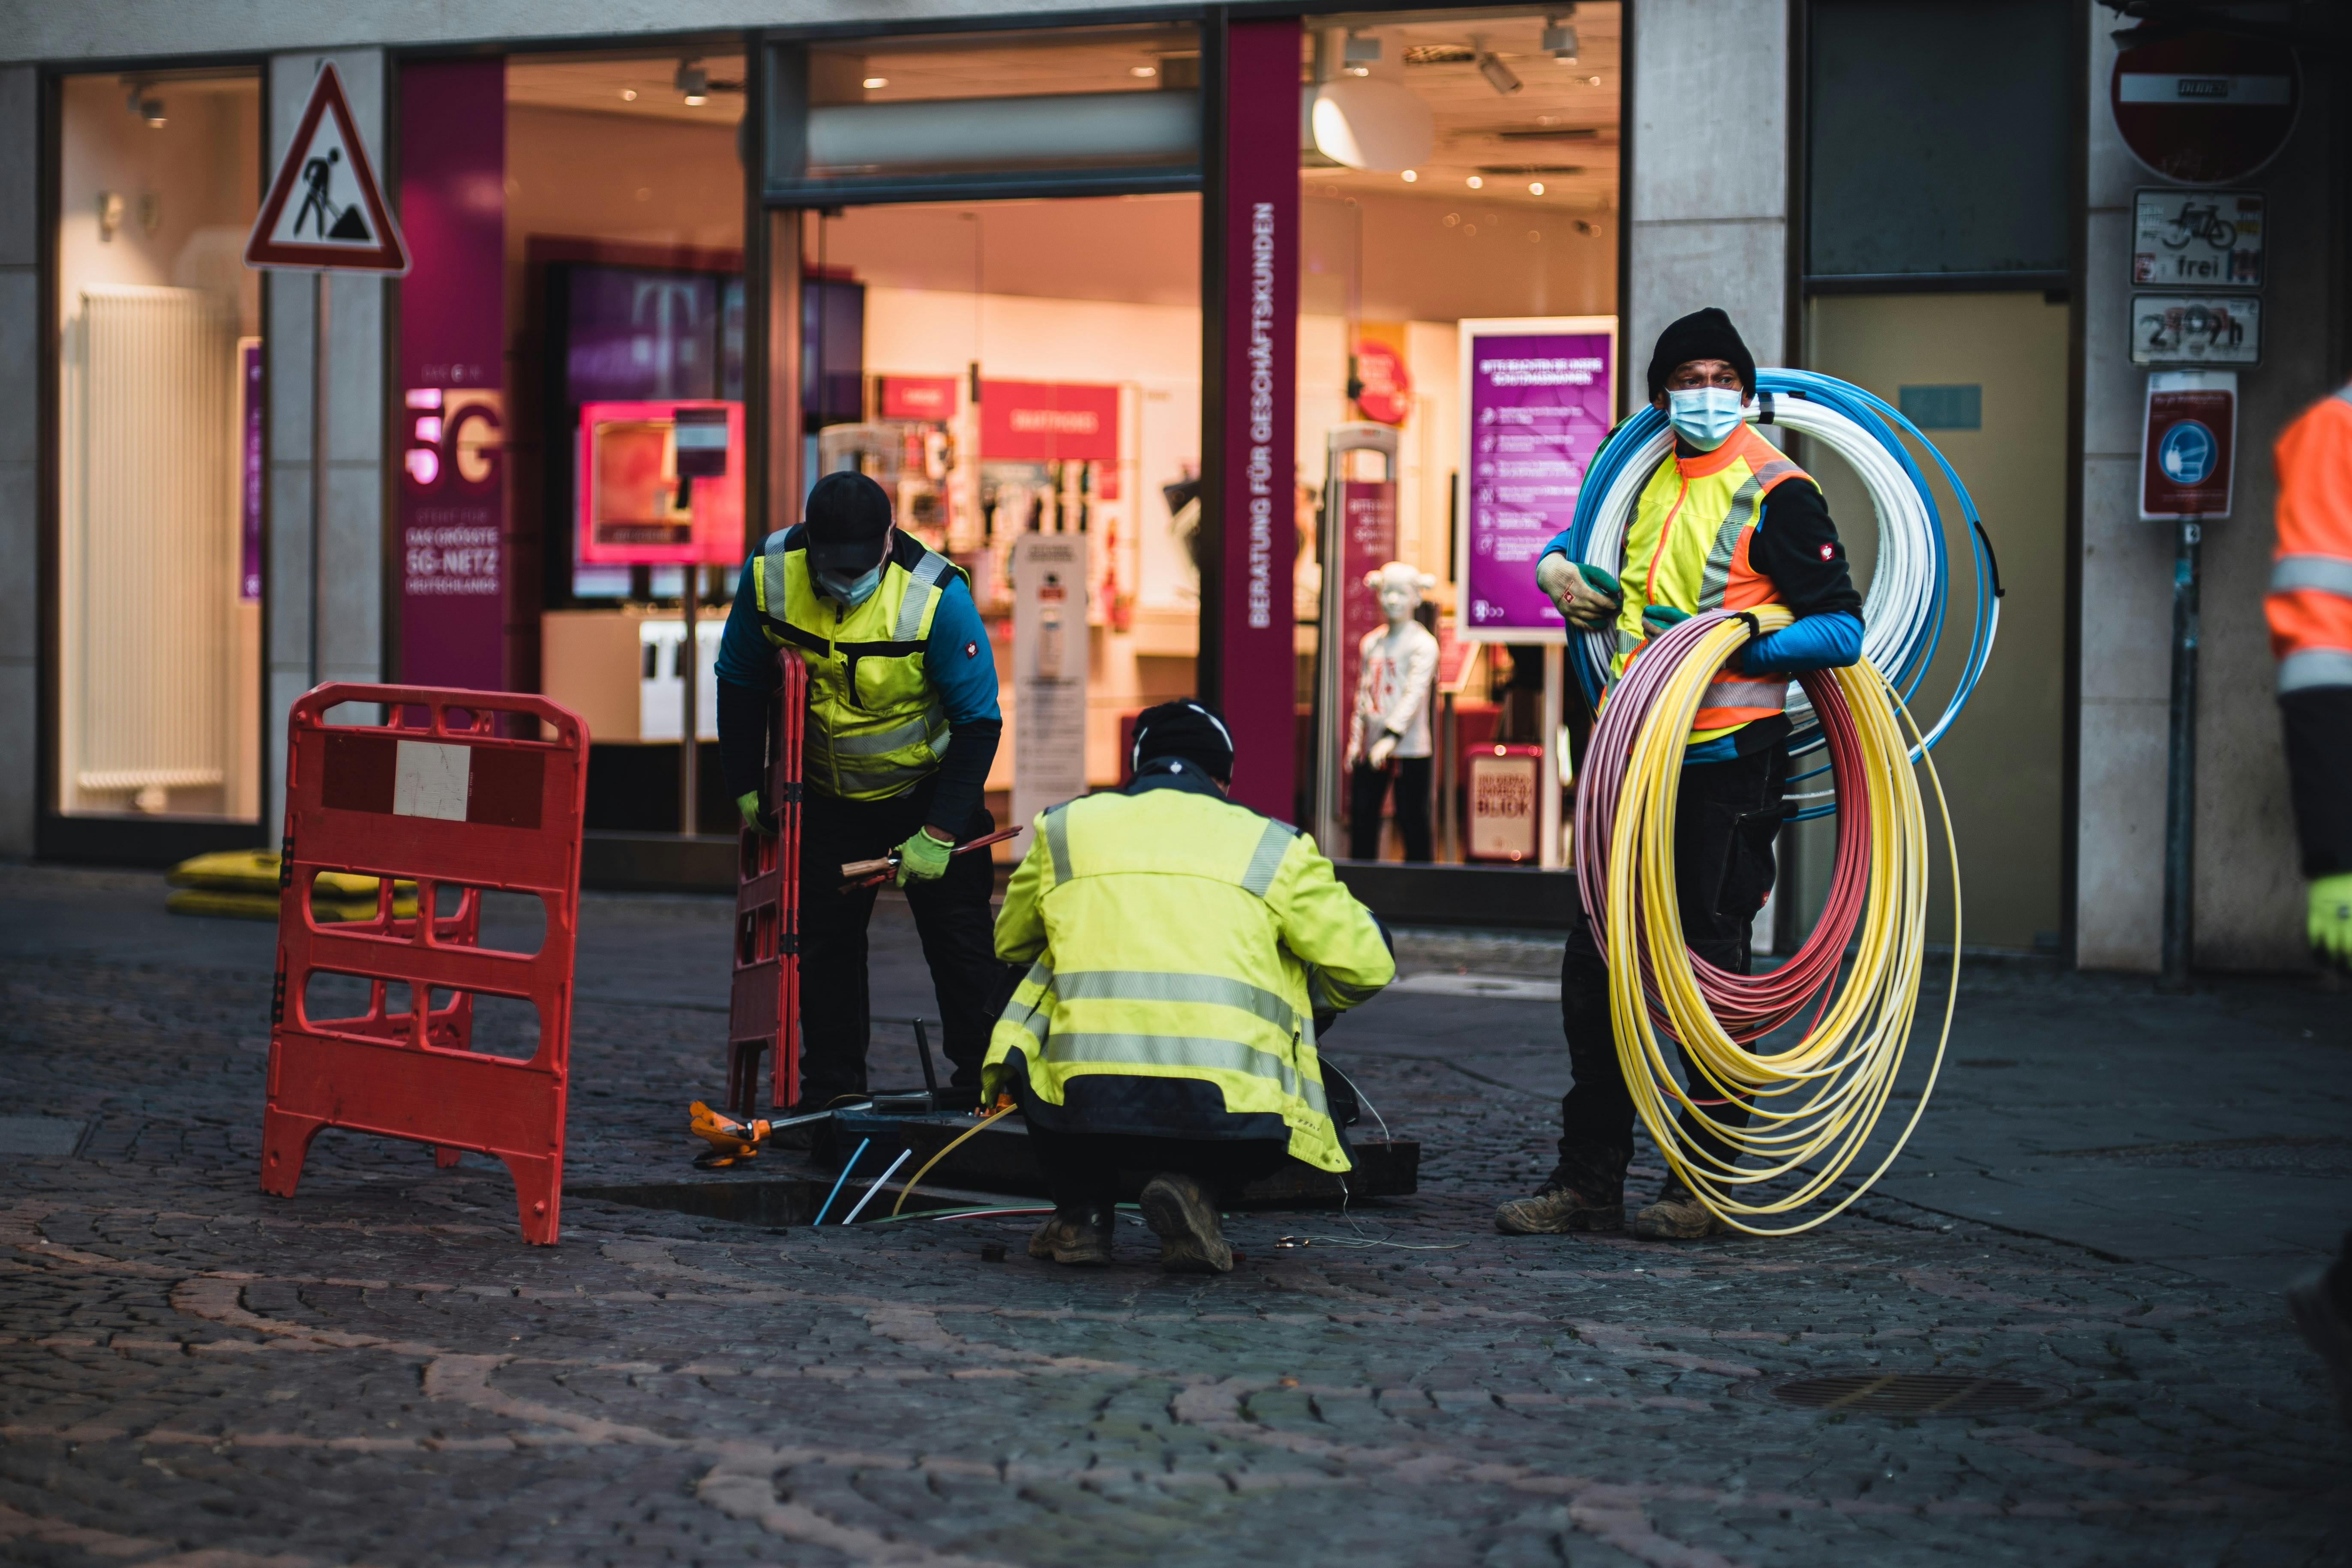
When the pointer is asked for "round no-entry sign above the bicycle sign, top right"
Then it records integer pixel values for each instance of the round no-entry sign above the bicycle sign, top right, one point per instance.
(2203, 107)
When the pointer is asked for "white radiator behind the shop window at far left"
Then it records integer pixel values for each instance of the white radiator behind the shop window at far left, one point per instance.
(147, 547)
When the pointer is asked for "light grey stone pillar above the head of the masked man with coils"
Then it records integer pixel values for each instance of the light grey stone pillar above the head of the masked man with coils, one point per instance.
(1706, 192)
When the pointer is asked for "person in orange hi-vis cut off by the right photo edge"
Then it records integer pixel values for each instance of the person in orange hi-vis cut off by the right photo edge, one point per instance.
(2311, 634)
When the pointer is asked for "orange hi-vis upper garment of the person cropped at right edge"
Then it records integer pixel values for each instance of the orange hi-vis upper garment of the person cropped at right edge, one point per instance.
(2311, 579)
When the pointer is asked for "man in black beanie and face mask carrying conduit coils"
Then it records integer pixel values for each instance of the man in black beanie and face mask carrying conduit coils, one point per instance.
(1725, 523)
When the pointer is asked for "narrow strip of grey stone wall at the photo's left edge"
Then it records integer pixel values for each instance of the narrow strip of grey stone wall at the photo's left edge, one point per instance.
(20, 450)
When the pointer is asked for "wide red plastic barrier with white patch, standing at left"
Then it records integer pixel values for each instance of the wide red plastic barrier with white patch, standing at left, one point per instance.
(439, 798)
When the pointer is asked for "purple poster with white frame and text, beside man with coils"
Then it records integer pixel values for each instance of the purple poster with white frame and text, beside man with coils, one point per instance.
(1539, 408)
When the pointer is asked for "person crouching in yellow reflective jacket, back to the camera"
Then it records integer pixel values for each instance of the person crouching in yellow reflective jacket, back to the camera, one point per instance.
(1180, 949)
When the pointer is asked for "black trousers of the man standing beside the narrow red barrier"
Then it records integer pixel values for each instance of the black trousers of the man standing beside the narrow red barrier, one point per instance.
(951, 918)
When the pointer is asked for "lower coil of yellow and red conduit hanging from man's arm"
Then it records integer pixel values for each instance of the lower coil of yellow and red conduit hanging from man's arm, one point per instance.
(1817, 1101)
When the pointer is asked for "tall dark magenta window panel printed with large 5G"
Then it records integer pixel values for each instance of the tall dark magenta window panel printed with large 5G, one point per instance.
(453, 377)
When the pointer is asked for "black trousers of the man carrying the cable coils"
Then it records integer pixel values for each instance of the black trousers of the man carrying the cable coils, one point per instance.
(1725, 824)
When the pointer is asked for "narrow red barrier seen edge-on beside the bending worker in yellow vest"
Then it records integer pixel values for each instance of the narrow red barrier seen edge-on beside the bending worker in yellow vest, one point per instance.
(763, 1012)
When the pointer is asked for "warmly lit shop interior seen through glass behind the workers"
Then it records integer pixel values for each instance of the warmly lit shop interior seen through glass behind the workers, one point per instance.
(1034, 366)
